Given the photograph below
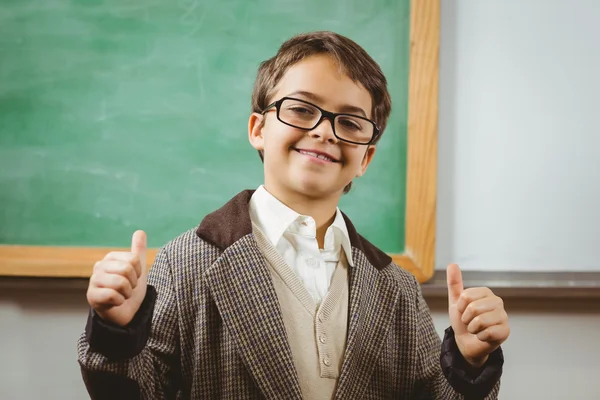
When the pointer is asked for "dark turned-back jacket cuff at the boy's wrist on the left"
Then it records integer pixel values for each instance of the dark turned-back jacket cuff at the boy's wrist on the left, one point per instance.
(117, 342)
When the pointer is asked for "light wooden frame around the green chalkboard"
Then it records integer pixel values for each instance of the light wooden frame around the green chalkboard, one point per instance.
(418, 258)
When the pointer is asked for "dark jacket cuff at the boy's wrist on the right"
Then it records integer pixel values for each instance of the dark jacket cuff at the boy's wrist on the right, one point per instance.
(473, 383)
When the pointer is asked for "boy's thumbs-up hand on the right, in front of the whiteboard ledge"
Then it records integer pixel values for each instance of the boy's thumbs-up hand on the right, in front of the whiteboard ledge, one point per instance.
(478, 318)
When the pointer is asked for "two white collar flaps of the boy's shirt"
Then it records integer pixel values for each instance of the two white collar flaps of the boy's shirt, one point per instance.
(273, 218)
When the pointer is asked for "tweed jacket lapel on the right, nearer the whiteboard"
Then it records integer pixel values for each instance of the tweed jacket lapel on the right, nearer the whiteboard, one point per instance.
(373, 298)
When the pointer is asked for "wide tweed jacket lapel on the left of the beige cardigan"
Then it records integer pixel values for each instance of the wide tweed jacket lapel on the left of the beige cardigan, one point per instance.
(243, 291)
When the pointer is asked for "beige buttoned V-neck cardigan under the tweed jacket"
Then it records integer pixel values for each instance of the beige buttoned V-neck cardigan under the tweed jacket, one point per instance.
(316, 334)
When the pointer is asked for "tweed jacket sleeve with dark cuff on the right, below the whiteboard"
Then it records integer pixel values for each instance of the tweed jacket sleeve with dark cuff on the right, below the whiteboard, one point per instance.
(442, 370)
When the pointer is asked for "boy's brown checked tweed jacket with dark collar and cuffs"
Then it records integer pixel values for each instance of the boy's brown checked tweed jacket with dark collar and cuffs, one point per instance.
(211, 327)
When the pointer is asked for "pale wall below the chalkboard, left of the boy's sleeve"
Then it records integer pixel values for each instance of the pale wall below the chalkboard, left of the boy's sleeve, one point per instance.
(38, 335)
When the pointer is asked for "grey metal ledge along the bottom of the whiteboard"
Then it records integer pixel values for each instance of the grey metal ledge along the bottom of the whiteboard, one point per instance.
(524, 285)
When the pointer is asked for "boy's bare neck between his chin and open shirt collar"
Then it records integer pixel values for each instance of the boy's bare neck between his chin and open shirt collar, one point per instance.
(322, 210)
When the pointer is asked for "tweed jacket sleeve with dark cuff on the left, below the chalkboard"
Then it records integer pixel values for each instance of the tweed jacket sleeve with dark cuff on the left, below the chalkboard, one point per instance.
(139, 361)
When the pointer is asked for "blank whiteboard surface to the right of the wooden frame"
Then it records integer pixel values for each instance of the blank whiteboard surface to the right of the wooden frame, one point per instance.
(519, 143)
